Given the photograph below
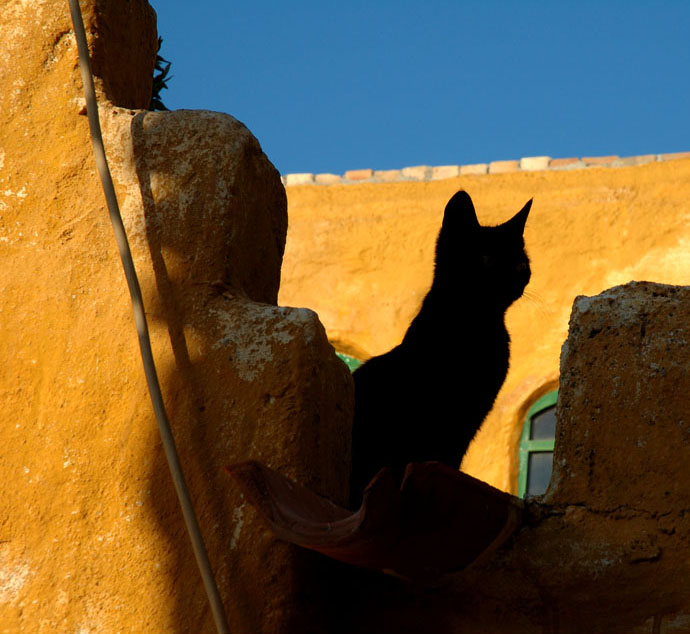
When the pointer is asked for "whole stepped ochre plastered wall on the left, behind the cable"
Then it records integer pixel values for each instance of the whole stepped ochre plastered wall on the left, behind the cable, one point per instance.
(92, 537)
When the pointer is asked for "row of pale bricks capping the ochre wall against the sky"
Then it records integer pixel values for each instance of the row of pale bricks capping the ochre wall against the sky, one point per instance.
(426, 173)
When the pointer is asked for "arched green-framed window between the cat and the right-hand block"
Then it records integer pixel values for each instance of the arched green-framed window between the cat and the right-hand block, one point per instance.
(536, 446)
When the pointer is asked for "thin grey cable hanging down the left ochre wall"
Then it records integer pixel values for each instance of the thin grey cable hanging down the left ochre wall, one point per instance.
(142, 328)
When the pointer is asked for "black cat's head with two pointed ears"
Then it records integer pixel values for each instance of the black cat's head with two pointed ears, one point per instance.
(488, 262)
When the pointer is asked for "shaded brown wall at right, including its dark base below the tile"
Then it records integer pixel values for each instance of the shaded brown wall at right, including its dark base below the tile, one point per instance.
(605, 550)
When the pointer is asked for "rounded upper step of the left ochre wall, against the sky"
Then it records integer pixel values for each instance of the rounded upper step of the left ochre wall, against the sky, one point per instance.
(168, 187)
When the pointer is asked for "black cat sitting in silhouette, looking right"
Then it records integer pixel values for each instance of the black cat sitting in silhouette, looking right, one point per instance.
(426, 398)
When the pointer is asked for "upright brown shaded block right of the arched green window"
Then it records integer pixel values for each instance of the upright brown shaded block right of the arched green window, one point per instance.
(623, 437)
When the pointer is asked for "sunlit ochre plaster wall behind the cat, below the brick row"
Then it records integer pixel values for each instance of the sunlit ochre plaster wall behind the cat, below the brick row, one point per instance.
(362, 256)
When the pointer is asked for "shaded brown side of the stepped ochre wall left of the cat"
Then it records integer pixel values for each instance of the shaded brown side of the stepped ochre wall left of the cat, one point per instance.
(246, 378)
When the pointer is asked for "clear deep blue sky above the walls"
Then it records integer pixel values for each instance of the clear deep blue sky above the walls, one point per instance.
(331, 86)
